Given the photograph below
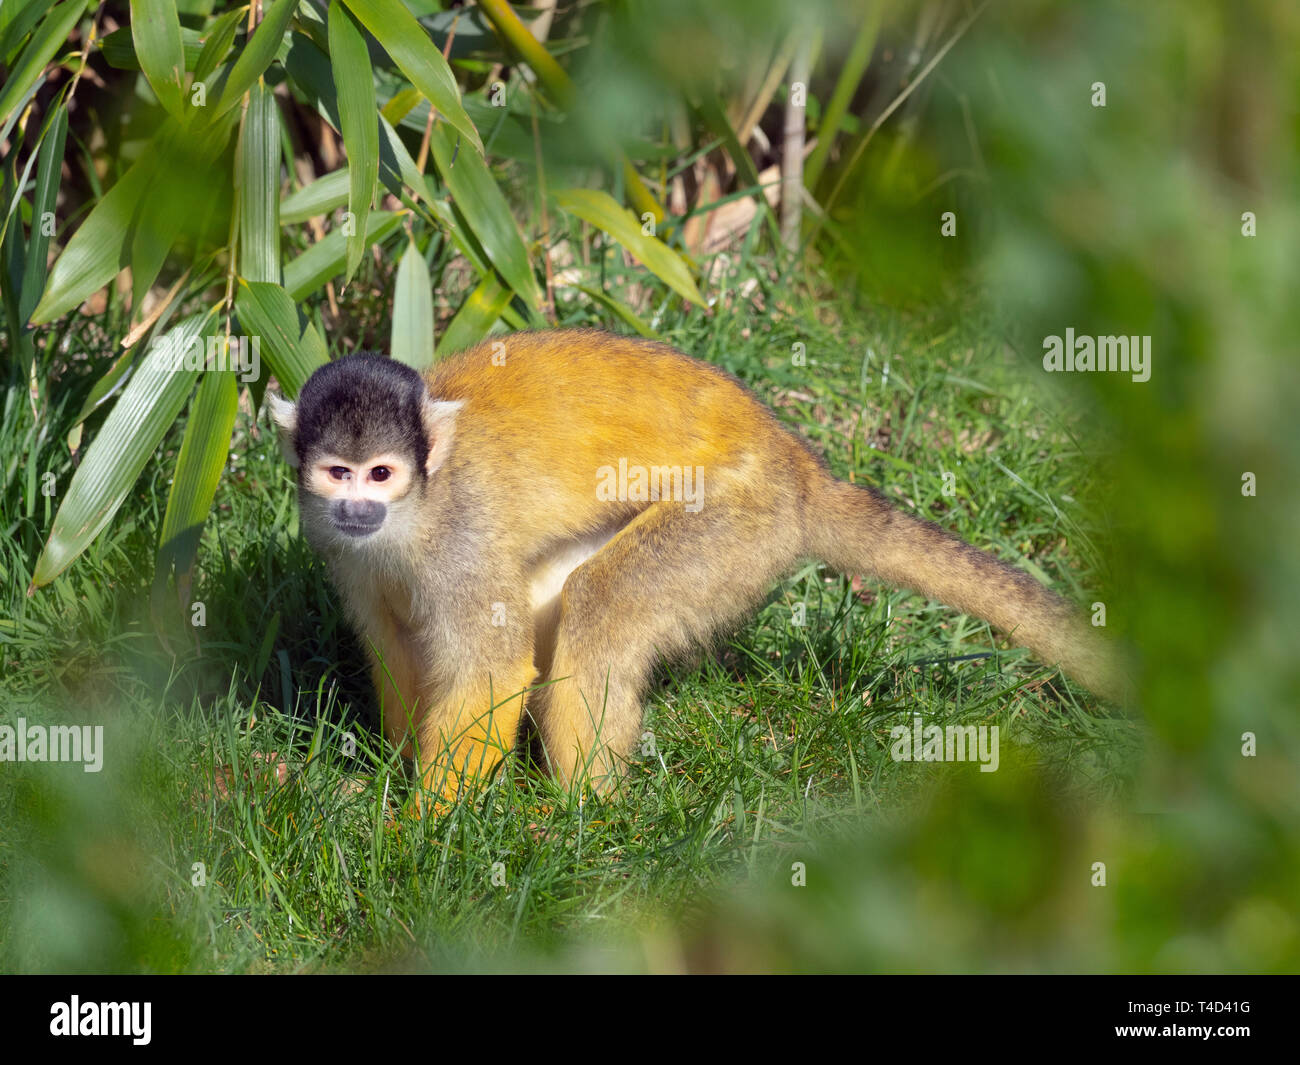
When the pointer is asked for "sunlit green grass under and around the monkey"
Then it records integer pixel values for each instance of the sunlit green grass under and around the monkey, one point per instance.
(770, 752)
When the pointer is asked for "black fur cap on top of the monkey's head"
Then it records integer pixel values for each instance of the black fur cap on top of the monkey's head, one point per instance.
(361, 405)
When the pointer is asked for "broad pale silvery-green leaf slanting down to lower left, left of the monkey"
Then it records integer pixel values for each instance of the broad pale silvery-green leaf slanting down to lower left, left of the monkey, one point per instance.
(149, 405)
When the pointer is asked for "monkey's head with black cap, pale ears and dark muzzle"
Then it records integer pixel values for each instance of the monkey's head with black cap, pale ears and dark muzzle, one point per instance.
(366, 438)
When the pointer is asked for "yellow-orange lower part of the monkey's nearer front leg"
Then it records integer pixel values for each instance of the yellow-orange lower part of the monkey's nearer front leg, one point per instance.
(471, 707)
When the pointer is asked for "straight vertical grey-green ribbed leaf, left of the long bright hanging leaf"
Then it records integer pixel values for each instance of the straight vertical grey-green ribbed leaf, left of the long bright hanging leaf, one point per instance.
(258, 185)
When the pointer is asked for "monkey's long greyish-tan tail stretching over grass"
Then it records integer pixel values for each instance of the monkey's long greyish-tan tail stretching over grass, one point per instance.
(857, 531)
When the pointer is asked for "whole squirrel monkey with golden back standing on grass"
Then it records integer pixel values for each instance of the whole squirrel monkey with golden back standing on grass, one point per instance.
(539, 521)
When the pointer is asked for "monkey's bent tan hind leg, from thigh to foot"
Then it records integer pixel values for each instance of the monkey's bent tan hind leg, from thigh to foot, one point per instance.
(665, 583)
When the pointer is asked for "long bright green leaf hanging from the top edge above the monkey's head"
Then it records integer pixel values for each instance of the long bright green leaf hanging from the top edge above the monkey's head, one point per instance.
(354, 83)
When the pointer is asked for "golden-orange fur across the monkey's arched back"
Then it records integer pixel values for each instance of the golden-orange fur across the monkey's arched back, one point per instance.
(605, 399)
